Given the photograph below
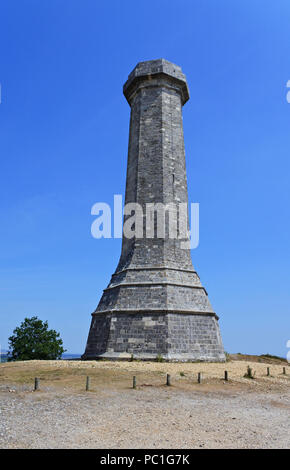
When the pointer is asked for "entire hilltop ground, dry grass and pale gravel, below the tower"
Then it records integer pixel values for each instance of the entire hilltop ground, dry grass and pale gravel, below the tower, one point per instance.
(240, 413)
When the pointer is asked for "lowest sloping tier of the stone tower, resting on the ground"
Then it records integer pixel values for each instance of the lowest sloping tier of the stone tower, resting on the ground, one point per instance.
(175, 336)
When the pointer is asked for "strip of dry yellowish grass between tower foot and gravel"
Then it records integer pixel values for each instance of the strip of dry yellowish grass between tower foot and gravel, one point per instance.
(71, 375)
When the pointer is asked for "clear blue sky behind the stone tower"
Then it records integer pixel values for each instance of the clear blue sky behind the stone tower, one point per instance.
(63, 145)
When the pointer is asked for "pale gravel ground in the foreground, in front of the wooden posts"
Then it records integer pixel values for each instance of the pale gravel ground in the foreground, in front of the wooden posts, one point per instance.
(148, 417)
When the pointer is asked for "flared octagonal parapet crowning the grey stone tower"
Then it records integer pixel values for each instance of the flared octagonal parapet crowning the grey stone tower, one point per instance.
(158, 72)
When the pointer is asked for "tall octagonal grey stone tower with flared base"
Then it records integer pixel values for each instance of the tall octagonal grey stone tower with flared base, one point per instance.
(155, 303)
